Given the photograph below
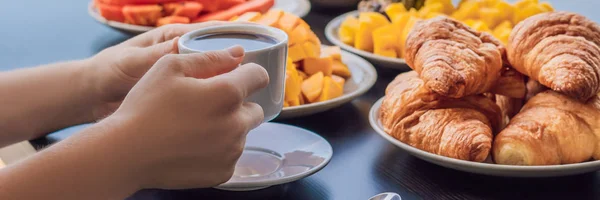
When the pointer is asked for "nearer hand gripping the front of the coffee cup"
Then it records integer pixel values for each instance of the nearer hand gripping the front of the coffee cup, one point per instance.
(188, 120)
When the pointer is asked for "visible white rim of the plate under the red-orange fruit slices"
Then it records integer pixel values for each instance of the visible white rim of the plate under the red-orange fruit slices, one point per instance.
(93, 12)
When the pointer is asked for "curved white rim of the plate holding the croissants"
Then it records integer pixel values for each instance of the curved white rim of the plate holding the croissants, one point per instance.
(496, 168)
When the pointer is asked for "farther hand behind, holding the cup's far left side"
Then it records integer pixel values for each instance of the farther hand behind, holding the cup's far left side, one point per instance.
(115, 70)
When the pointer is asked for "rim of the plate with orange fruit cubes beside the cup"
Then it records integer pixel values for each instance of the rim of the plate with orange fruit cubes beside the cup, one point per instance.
(363, 87)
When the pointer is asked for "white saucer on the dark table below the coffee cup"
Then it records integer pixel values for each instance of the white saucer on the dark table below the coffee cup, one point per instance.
(278, 154)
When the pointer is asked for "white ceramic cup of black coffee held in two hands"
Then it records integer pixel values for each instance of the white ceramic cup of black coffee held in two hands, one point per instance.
(272, 58)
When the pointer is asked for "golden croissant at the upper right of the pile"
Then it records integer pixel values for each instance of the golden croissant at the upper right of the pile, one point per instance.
(560, 50)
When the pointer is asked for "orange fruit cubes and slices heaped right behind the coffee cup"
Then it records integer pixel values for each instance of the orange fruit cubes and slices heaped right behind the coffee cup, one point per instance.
(314, 73)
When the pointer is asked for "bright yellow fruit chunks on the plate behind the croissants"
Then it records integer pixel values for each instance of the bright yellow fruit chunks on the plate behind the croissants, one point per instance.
(495, 17)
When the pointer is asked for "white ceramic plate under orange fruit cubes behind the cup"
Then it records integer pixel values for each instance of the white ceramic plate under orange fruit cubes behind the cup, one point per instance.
(363, 78)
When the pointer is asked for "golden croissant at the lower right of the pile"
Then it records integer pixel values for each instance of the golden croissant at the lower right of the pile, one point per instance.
(551, 129)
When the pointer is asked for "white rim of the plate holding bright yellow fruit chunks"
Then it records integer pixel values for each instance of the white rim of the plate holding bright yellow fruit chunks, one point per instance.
(331, 29)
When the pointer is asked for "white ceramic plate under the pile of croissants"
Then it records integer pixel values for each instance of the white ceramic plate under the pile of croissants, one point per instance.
(483, 168)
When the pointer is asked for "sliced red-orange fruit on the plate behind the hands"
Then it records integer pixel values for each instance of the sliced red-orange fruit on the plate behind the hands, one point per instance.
(162, 12)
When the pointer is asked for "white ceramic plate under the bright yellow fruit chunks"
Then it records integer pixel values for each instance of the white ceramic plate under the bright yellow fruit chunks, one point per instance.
(331, 32)
